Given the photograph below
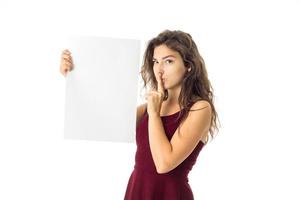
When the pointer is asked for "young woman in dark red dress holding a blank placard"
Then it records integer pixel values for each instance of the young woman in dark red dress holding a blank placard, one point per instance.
(175, 123)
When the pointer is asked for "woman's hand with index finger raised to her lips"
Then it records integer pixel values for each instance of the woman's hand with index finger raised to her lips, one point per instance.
(155, 98)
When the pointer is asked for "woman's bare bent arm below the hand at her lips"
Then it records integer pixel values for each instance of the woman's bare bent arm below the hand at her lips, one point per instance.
(166, 154)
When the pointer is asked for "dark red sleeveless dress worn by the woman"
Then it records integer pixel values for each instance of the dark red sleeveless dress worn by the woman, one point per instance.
(144, 182)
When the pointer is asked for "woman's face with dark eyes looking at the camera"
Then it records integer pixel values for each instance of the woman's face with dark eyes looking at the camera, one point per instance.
(170, 64)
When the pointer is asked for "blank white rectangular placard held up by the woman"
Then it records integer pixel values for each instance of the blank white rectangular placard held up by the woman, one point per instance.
(101, 90)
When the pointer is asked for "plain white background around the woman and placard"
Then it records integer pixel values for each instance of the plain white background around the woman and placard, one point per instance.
(251, 49)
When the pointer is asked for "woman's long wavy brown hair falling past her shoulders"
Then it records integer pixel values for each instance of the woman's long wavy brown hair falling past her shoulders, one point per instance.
(195, 85)
